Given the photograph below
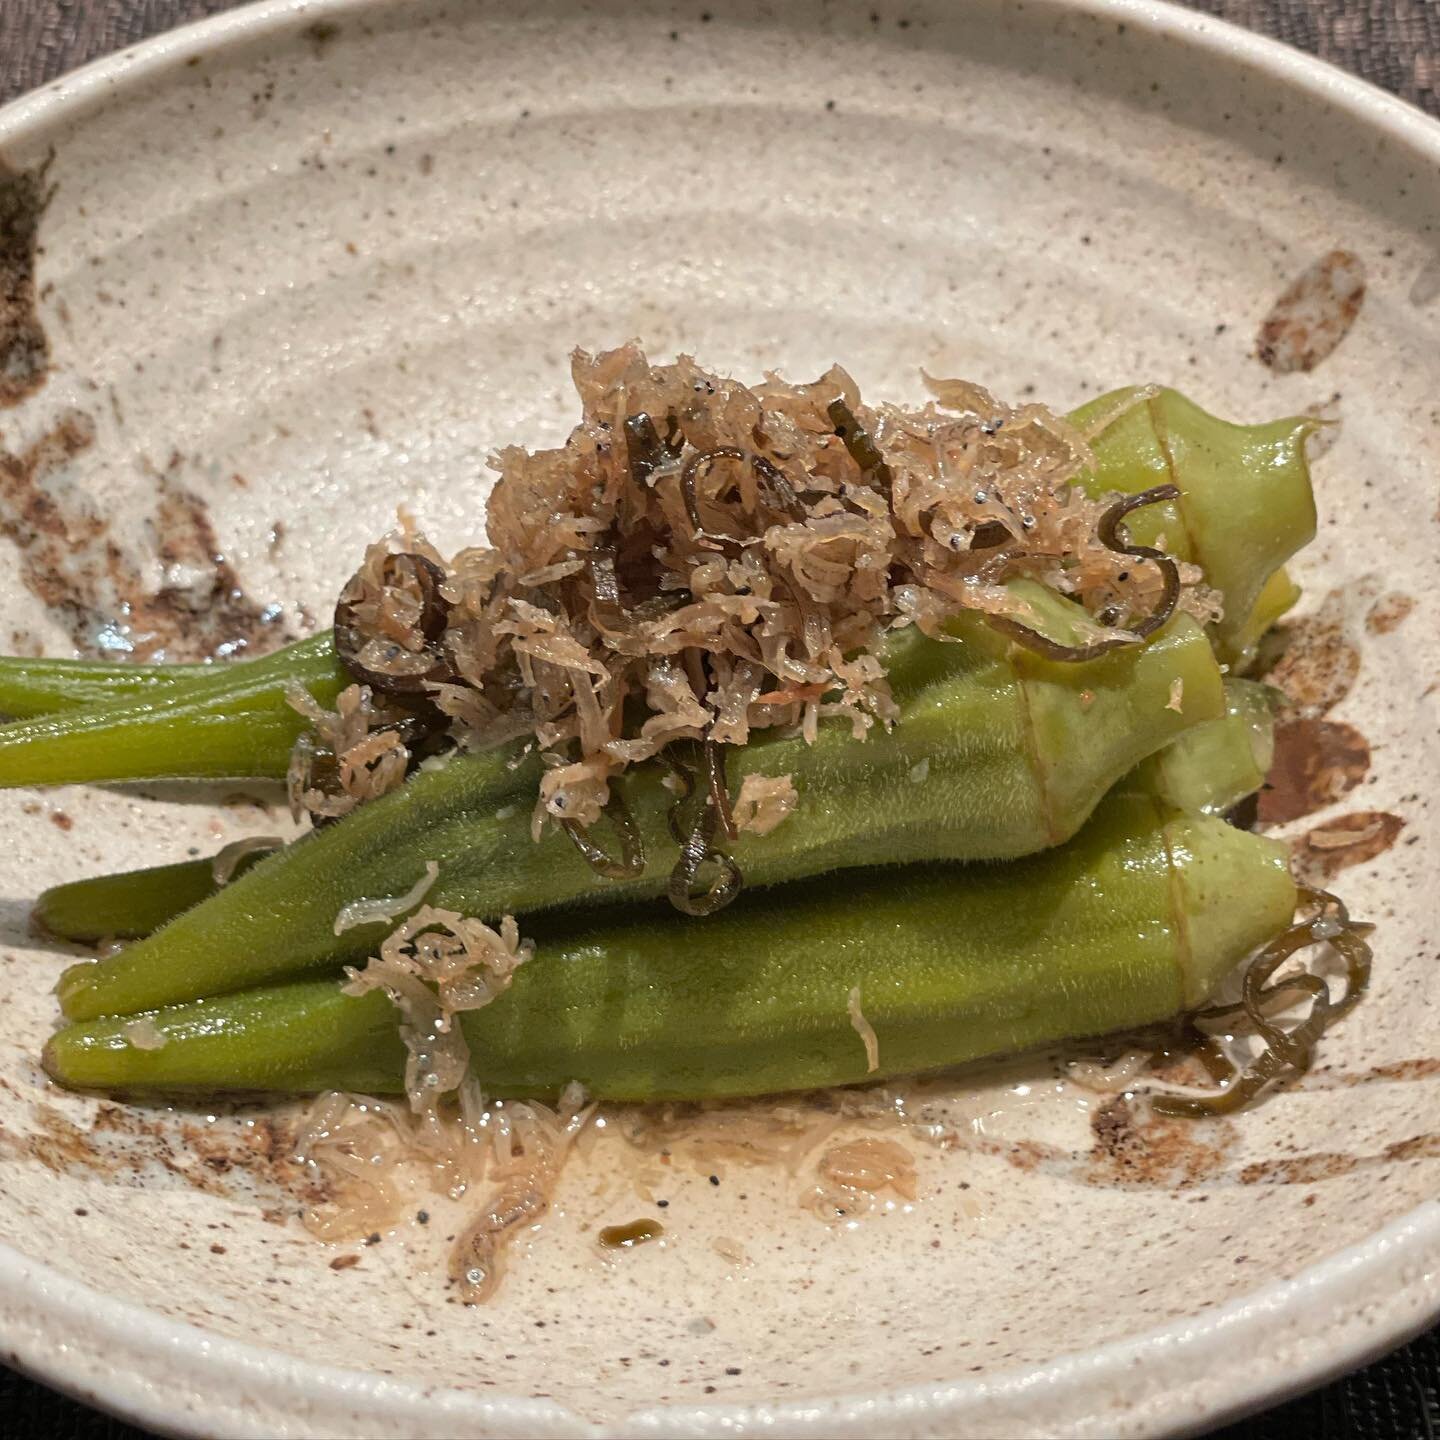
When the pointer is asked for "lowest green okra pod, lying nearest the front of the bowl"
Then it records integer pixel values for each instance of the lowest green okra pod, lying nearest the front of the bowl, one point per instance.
(1133, 922)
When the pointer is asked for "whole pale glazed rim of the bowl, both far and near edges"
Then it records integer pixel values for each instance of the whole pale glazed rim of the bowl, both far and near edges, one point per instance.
(45, 1304)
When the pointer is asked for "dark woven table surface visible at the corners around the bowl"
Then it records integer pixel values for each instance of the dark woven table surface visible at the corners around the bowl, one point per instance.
(1395, 44)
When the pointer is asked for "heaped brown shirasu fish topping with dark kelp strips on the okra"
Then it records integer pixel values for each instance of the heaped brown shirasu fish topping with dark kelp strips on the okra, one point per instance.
(703, 561)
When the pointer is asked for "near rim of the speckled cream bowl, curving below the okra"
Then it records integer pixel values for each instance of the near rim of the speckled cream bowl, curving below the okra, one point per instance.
(217, 1369)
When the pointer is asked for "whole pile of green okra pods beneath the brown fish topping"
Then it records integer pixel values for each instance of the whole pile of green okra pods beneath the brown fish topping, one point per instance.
(1033, 852)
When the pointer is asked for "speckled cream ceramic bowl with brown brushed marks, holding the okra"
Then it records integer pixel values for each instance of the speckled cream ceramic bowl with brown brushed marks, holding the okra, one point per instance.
(307, 261)
